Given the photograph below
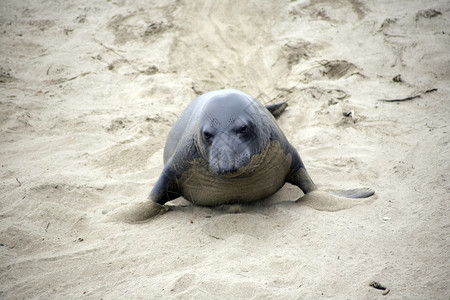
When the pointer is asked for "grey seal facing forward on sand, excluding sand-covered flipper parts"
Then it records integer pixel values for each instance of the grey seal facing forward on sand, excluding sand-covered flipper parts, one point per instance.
(227, 148)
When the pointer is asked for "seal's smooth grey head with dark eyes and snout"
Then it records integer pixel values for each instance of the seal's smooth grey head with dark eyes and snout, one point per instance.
(231, 133)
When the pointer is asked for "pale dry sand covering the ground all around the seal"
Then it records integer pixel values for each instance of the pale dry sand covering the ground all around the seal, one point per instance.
(90, 89)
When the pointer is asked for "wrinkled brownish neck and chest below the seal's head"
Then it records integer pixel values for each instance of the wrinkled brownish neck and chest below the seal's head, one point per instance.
(263, 176)
